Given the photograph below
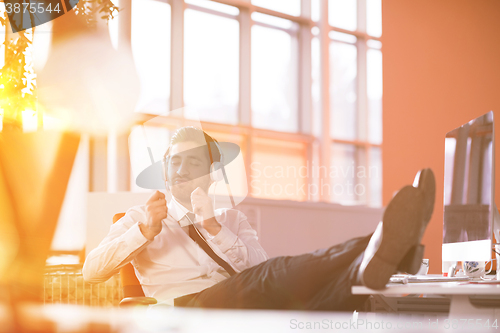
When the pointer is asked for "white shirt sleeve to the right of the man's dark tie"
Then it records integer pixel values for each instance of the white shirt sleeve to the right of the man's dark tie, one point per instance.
(239, 242)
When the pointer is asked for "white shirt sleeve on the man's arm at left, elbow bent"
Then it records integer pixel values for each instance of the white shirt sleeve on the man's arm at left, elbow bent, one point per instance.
(123, 242)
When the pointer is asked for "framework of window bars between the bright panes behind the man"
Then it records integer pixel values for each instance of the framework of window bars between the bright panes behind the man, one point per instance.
(318, 146)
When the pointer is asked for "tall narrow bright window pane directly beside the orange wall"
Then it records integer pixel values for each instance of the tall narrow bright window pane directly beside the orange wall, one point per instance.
(374, 86)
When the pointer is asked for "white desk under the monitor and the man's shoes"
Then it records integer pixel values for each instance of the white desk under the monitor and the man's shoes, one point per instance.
(459, 293)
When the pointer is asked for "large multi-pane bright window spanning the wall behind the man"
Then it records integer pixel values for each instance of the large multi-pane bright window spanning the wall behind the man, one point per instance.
(296, 83)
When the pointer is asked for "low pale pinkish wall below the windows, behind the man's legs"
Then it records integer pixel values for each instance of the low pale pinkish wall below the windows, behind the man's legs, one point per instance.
(291, 228)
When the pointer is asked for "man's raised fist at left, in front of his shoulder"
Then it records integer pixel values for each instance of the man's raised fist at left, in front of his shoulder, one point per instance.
(156, 211)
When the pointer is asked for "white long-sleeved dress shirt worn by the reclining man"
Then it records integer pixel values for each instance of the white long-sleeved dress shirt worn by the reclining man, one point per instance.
(172, 264)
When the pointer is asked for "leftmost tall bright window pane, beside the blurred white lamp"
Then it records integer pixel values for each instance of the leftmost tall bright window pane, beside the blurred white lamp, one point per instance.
(151, 49)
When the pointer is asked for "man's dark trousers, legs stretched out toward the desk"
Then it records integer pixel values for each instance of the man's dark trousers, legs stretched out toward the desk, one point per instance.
(319, 280)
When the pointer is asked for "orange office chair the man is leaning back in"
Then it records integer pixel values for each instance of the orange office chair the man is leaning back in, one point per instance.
(132, 290)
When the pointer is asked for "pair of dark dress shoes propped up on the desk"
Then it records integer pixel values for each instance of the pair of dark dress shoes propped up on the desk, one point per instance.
(395, 244)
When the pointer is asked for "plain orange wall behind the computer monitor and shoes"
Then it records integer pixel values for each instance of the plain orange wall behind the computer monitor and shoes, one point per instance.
(441, 68)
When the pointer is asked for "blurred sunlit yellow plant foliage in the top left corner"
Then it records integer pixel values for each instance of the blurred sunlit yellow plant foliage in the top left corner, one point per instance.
(17, 76)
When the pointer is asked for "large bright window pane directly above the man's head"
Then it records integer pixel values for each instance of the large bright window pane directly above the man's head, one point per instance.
(211, 67)
